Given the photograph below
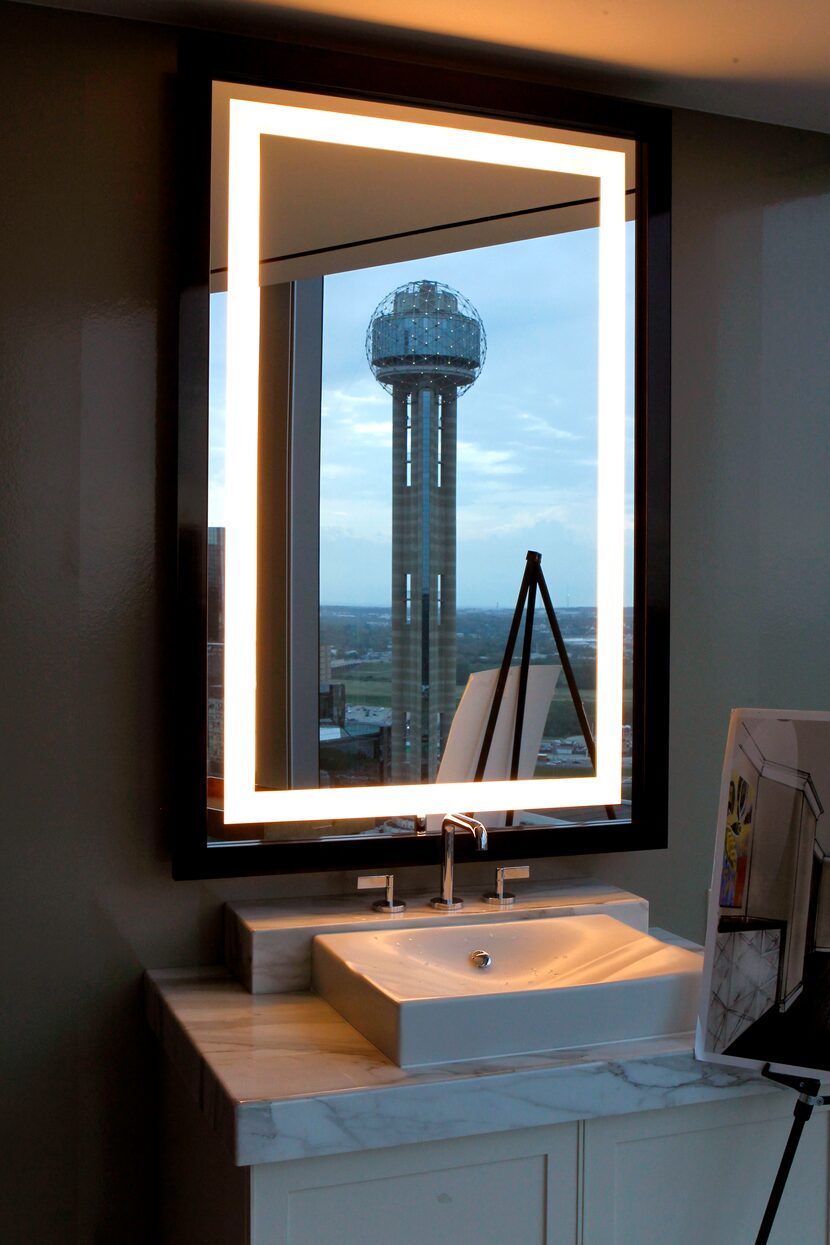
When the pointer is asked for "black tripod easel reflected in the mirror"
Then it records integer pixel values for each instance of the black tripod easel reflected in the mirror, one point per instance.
(532, 581)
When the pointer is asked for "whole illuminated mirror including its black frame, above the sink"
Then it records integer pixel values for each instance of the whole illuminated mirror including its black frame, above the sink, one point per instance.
(424, 470)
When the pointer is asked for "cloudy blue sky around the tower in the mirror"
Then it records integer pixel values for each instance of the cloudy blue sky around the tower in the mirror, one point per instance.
(527, 429)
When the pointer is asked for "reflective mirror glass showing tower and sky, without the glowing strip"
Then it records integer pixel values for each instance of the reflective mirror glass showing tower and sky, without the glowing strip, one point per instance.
(429, 414)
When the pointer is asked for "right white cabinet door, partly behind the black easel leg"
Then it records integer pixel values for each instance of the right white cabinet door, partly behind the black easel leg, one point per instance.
(702, 1176)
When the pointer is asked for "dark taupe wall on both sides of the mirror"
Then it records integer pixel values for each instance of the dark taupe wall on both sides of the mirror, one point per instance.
(88, 400)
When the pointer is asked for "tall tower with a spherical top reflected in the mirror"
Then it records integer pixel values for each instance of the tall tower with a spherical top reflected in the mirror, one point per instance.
(426, 345)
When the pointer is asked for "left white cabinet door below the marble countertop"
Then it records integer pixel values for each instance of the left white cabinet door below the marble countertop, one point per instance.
(506, 1187)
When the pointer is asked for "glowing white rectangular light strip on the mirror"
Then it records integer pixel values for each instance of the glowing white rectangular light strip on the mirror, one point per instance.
(243, 804)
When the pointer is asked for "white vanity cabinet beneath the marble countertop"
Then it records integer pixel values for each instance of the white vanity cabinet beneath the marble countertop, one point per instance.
(688, 1176)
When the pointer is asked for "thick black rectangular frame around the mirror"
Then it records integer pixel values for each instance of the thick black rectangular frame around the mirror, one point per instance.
(207, 58)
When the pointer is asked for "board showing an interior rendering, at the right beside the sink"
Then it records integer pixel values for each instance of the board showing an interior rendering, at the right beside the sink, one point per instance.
(767, 970)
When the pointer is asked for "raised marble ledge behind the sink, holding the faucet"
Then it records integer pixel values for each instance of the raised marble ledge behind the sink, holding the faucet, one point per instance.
(268, 947)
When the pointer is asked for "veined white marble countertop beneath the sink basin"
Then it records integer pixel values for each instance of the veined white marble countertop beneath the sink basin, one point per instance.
(287, 1078)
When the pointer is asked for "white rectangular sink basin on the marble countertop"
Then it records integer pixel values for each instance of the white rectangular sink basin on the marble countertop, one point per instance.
(557, 983)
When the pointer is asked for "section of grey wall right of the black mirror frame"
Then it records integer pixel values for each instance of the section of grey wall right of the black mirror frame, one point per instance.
(751, 431)
